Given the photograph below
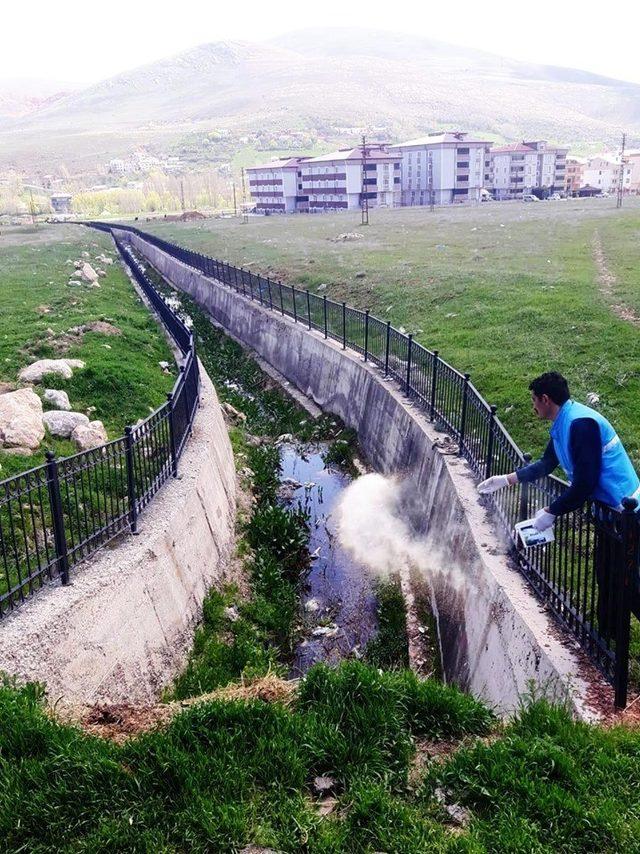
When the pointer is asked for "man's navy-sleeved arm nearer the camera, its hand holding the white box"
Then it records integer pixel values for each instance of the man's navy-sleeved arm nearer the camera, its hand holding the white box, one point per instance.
(586, 452)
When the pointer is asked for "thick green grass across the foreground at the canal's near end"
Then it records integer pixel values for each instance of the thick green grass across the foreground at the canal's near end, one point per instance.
(227, 774)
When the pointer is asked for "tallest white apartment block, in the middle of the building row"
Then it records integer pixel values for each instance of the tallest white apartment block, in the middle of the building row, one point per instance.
(443, 168)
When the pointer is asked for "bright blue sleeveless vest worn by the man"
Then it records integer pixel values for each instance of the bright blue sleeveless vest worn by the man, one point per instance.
(618, 478)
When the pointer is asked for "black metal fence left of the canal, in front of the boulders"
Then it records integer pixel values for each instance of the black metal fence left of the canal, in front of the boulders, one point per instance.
(58, 514)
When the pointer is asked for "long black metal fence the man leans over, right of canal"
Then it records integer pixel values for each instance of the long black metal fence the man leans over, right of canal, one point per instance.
(588, 576)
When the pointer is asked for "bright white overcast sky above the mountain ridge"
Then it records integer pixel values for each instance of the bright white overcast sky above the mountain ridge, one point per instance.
(85, 42)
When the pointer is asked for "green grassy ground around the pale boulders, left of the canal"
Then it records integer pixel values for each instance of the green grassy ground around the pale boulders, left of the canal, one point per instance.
(122, 379)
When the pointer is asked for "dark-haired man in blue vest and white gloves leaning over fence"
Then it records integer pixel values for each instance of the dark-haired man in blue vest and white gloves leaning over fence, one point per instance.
(597, 466)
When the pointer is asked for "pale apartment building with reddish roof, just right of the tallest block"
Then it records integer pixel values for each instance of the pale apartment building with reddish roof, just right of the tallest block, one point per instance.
(522, 167)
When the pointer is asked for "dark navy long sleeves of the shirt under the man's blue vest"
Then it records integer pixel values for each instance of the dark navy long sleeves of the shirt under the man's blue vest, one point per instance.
(586, 453)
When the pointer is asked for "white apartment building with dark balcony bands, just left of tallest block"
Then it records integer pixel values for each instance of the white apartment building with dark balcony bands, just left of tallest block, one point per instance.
(337, 181)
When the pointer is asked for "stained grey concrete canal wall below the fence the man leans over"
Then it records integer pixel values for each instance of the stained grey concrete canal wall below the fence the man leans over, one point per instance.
(497, 640)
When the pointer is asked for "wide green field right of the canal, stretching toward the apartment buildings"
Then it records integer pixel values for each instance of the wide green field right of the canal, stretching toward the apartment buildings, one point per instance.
(504, 290)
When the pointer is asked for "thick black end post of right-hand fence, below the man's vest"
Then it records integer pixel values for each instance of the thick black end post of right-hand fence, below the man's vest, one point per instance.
(626, 574)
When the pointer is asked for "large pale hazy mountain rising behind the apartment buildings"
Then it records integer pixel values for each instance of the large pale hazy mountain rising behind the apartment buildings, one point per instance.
(320, 79)
